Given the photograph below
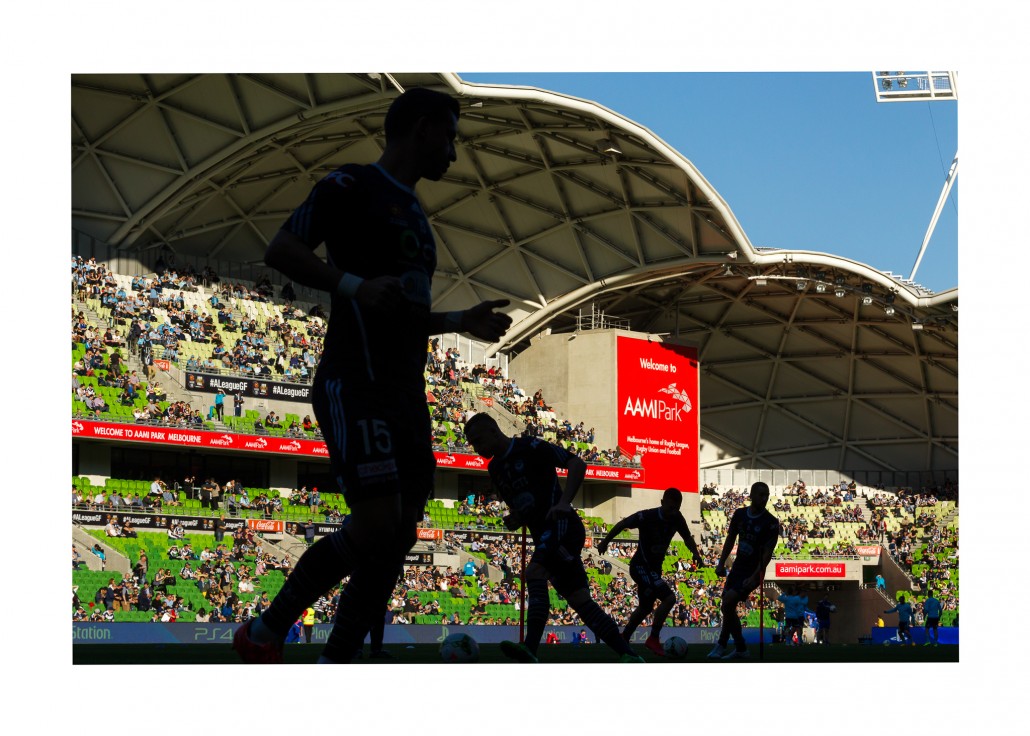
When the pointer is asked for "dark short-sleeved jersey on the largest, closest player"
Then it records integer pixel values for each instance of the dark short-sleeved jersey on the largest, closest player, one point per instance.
(372, 226)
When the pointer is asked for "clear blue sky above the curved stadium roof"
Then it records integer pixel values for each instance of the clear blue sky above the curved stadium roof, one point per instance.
(807, 161)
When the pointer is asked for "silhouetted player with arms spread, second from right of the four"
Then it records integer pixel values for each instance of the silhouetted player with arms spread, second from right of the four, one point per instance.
(657, 530)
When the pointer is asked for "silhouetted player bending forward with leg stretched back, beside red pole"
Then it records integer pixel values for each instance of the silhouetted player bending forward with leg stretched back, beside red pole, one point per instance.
(524, 472)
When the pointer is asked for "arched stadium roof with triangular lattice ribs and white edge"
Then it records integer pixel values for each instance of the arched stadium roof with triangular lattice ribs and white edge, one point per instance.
(566, 208)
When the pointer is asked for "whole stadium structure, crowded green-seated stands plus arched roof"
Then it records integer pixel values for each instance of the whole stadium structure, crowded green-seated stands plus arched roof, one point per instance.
(834, 382)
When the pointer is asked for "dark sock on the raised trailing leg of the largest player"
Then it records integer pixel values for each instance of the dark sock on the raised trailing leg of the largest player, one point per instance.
(323, 566)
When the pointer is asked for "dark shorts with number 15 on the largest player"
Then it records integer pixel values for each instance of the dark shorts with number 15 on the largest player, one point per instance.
(380, 443)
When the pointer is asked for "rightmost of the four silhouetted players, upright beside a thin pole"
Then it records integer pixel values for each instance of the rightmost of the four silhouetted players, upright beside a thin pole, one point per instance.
(756, 532)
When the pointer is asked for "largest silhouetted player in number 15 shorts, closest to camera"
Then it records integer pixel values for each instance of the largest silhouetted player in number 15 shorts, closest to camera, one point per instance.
(369, 392)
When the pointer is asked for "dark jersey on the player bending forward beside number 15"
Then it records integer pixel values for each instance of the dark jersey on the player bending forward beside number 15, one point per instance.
(527, 480)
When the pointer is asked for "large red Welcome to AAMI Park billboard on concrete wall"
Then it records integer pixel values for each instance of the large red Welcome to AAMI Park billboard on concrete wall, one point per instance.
(659, 410)
